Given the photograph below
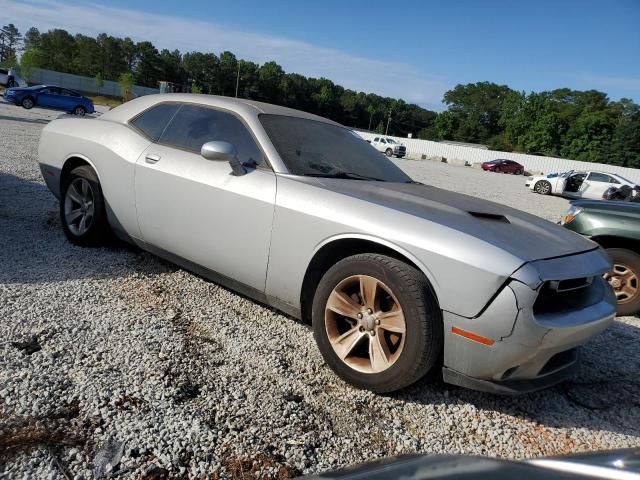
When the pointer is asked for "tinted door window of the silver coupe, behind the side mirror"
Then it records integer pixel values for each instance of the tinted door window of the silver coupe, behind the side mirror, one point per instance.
(193, 126)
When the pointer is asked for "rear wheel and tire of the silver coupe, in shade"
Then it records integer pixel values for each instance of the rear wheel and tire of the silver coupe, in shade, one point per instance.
(81, 198)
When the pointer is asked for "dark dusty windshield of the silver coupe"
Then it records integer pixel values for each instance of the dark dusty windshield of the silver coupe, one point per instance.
(309, 147)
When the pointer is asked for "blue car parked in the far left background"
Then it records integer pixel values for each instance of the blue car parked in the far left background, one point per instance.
(49, 96)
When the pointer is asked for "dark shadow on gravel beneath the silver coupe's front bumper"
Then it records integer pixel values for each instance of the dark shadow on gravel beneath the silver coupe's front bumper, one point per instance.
(603, 395)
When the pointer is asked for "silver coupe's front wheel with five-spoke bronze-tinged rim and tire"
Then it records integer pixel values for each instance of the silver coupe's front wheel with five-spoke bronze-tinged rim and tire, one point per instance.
(411, 355)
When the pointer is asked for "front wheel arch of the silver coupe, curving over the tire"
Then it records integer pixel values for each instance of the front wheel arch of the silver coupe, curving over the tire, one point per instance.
(334, 249)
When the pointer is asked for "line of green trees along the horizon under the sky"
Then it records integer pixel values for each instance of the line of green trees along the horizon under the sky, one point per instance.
(582, 125)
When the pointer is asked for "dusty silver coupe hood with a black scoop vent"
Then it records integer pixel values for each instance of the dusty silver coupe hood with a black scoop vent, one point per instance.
(523, 235)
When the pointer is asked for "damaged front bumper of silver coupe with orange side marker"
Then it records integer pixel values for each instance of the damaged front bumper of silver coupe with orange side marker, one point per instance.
(527, 337)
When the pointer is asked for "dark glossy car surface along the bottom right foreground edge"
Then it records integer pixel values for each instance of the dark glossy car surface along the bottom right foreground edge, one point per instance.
(614, 464)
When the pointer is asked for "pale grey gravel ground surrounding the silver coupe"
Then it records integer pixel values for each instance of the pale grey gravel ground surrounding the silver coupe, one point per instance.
(114, 363)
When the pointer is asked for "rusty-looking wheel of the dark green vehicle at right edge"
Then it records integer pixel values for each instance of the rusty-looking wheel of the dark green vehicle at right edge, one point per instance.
(625, 280)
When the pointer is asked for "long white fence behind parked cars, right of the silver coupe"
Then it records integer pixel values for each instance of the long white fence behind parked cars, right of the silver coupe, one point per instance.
(419, 149)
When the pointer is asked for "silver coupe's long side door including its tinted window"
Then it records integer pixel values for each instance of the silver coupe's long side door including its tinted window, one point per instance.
(195, 208)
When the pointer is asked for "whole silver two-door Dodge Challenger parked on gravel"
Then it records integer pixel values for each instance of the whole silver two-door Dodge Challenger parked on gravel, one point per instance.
(397, 278)
